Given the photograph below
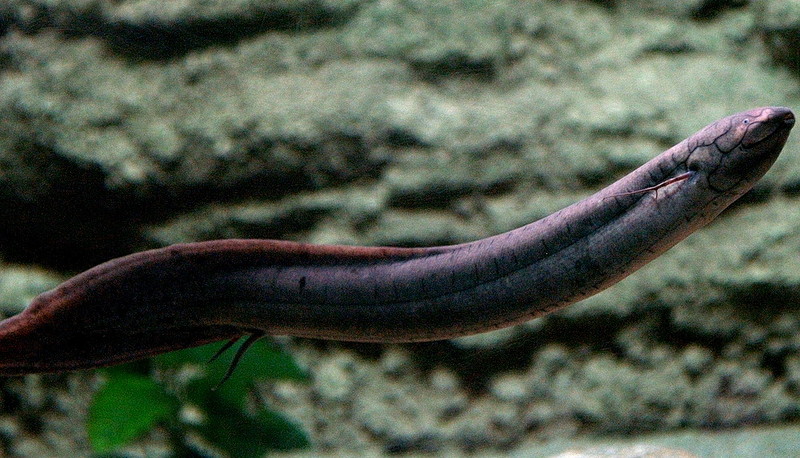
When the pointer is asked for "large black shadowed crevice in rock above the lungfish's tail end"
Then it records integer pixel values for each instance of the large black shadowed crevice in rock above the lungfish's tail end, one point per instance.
(60, 214)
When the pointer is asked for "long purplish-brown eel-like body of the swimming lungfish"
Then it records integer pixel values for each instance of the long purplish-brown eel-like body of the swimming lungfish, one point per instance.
(190, 294)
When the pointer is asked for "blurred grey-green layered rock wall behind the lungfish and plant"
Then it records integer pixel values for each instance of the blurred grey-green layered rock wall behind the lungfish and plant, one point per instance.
(135, 124)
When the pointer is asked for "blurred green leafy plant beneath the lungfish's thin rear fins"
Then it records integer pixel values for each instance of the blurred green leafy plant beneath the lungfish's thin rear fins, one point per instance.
(131, 402)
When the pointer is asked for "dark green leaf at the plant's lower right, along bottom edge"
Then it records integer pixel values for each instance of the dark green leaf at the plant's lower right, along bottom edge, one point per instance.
(246, 436)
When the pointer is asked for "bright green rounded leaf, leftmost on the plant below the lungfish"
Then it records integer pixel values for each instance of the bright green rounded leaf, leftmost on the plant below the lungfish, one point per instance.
(126, 407)
